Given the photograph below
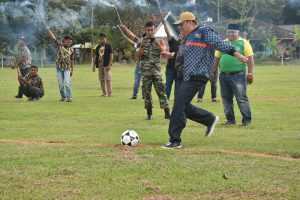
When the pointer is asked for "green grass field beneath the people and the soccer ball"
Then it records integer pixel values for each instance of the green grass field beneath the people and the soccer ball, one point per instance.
(57, 150)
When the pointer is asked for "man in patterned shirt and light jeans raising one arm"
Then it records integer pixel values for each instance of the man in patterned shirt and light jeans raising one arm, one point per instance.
(64, 65)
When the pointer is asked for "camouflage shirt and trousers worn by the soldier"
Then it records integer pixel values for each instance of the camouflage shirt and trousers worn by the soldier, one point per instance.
(151, 73)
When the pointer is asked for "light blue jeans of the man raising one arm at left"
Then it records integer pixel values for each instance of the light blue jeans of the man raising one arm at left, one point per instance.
(64, 77)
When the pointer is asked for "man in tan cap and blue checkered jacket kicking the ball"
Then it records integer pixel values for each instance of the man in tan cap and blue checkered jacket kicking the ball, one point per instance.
(197, 48)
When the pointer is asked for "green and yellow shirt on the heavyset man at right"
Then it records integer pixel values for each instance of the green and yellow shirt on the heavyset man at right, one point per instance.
(232, 64)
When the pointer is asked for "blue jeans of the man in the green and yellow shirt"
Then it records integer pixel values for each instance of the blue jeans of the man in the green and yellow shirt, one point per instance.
(235, 85)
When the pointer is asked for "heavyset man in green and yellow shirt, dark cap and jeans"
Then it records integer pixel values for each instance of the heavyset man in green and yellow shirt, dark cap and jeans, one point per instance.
(233, 76)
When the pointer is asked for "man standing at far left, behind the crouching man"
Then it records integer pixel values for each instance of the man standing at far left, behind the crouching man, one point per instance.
(23, 61)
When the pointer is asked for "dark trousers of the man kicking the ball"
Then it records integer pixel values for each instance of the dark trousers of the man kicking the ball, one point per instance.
(183, 109)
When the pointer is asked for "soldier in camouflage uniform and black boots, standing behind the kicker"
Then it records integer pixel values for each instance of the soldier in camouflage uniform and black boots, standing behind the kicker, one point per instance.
(149, 55)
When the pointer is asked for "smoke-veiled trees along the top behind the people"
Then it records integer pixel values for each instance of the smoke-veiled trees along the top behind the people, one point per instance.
(84, 20)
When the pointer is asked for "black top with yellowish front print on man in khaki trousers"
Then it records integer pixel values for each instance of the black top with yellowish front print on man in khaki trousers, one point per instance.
(103, 52)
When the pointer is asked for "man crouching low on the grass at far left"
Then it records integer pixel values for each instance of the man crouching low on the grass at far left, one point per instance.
(31, 85)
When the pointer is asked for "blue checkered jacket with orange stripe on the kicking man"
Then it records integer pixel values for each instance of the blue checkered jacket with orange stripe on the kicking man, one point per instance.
(199, 53)
